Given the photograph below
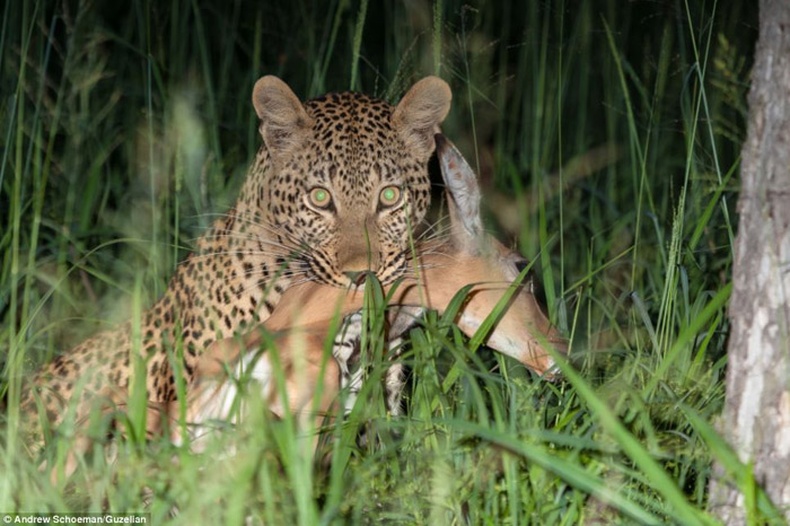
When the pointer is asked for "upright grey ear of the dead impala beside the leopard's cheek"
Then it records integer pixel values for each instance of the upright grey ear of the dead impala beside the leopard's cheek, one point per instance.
(463, 196)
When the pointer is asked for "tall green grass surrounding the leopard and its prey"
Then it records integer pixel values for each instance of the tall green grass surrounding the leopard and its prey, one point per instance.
(606, 135)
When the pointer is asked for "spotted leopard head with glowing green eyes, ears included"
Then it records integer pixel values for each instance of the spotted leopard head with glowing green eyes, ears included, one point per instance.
(347, 176)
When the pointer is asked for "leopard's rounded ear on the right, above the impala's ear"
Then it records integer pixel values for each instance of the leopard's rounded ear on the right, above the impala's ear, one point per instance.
(420, 112)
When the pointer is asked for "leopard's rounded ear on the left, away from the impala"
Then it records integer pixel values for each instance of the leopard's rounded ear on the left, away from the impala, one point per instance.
(284, 122)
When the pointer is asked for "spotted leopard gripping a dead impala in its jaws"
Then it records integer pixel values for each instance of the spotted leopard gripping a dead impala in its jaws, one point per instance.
(334, 193)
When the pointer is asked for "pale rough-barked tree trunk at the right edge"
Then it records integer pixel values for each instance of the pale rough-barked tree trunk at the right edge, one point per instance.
(756, 419)
